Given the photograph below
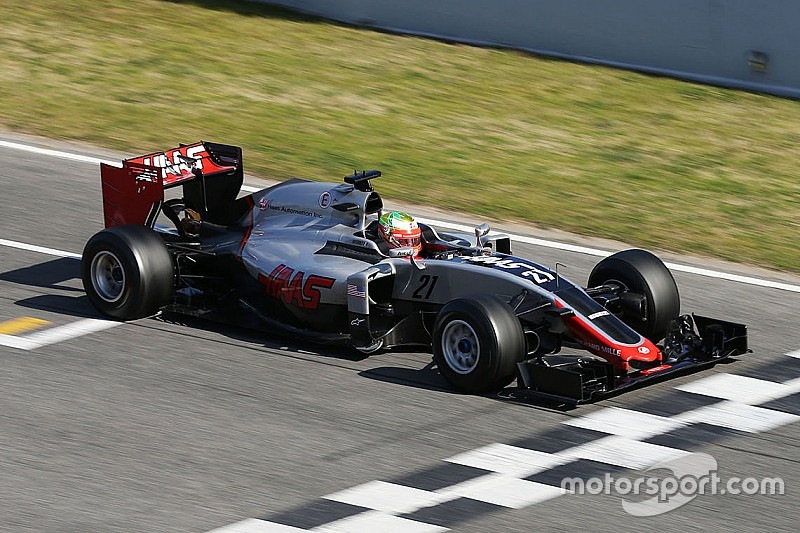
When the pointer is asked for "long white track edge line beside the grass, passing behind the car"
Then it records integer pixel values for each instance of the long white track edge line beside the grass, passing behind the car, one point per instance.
(468, 229)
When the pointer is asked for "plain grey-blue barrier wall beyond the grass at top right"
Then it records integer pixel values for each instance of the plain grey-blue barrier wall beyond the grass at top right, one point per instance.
(747, 44)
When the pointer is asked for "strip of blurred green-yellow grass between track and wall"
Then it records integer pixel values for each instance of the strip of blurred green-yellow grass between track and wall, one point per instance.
(651, 161)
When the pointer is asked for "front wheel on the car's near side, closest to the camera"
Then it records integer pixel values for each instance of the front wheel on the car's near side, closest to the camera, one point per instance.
(477, 343)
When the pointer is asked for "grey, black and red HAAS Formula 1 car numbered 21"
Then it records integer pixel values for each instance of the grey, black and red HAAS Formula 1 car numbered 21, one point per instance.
(305, 257)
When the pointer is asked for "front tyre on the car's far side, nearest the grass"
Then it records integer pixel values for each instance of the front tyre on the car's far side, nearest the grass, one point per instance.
(639, 271)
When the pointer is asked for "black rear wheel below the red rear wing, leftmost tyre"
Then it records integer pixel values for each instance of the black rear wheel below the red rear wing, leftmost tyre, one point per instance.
(127, 272)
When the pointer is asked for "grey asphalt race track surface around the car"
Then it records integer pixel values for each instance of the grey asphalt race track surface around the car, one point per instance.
(158, 426)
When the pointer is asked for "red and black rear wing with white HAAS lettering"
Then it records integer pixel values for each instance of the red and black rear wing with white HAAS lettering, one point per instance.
(211, 175)
